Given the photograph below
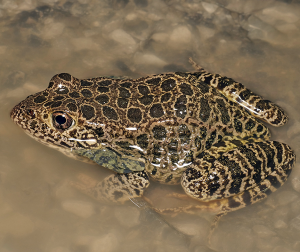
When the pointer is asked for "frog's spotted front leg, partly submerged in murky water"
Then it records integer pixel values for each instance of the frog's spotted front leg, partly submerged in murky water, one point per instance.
(114, 188)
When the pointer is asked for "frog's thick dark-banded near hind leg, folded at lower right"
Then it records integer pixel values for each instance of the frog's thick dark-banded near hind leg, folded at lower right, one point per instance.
(240, 176)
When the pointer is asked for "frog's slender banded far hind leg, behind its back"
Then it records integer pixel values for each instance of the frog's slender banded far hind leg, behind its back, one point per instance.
(238, 93)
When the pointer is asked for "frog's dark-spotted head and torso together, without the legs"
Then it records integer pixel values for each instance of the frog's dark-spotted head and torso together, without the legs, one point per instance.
(165, 119)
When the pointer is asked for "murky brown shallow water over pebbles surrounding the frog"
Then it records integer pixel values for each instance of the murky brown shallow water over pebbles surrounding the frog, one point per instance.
(255, 42)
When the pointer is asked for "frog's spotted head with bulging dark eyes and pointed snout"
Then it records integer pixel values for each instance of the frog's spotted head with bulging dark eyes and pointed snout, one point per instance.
(62, 116)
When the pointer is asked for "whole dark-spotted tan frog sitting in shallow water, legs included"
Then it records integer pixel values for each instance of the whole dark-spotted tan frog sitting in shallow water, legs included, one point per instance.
(204, 131)
